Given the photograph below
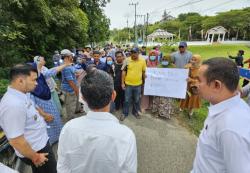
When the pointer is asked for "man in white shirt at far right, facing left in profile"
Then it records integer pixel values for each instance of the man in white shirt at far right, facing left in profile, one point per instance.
(224, 142)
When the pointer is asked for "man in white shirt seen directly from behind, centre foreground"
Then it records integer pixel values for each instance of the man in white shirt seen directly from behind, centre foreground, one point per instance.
(97, 142)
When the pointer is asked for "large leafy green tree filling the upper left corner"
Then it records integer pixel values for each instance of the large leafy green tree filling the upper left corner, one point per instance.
(28, 28)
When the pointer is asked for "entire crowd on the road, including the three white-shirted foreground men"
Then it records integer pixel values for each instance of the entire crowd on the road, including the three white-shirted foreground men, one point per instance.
(98, 82)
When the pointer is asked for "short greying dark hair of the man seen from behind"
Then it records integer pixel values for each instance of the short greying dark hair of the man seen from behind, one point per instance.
(97, 87)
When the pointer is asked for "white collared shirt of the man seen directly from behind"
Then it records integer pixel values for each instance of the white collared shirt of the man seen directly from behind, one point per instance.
(96, 143)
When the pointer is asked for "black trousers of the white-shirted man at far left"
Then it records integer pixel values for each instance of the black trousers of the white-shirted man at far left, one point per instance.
(49, 166)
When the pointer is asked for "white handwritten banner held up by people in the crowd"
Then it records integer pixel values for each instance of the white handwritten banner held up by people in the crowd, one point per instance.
(166, 82)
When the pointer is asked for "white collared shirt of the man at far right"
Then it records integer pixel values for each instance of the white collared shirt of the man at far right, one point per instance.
(224, 142)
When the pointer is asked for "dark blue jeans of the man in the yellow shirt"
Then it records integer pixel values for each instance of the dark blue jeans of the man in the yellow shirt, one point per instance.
(132, 93)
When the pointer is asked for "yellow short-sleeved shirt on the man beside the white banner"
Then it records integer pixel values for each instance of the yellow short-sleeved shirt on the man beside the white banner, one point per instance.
(134, 70)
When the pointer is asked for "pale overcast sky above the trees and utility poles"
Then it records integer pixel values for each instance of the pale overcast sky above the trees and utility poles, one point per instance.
(119, 11)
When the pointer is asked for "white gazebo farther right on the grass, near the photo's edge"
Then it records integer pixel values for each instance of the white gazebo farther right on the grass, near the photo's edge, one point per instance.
(218, 30)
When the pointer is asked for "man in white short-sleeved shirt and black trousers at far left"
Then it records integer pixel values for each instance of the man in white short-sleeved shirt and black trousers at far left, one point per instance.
(22, 124)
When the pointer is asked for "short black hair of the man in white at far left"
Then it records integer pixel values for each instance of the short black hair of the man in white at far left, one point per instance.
(21, 70)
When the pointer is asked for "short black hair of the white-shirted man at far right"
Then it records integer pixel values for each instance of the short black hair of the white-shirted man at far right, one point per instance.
(224, 70)
